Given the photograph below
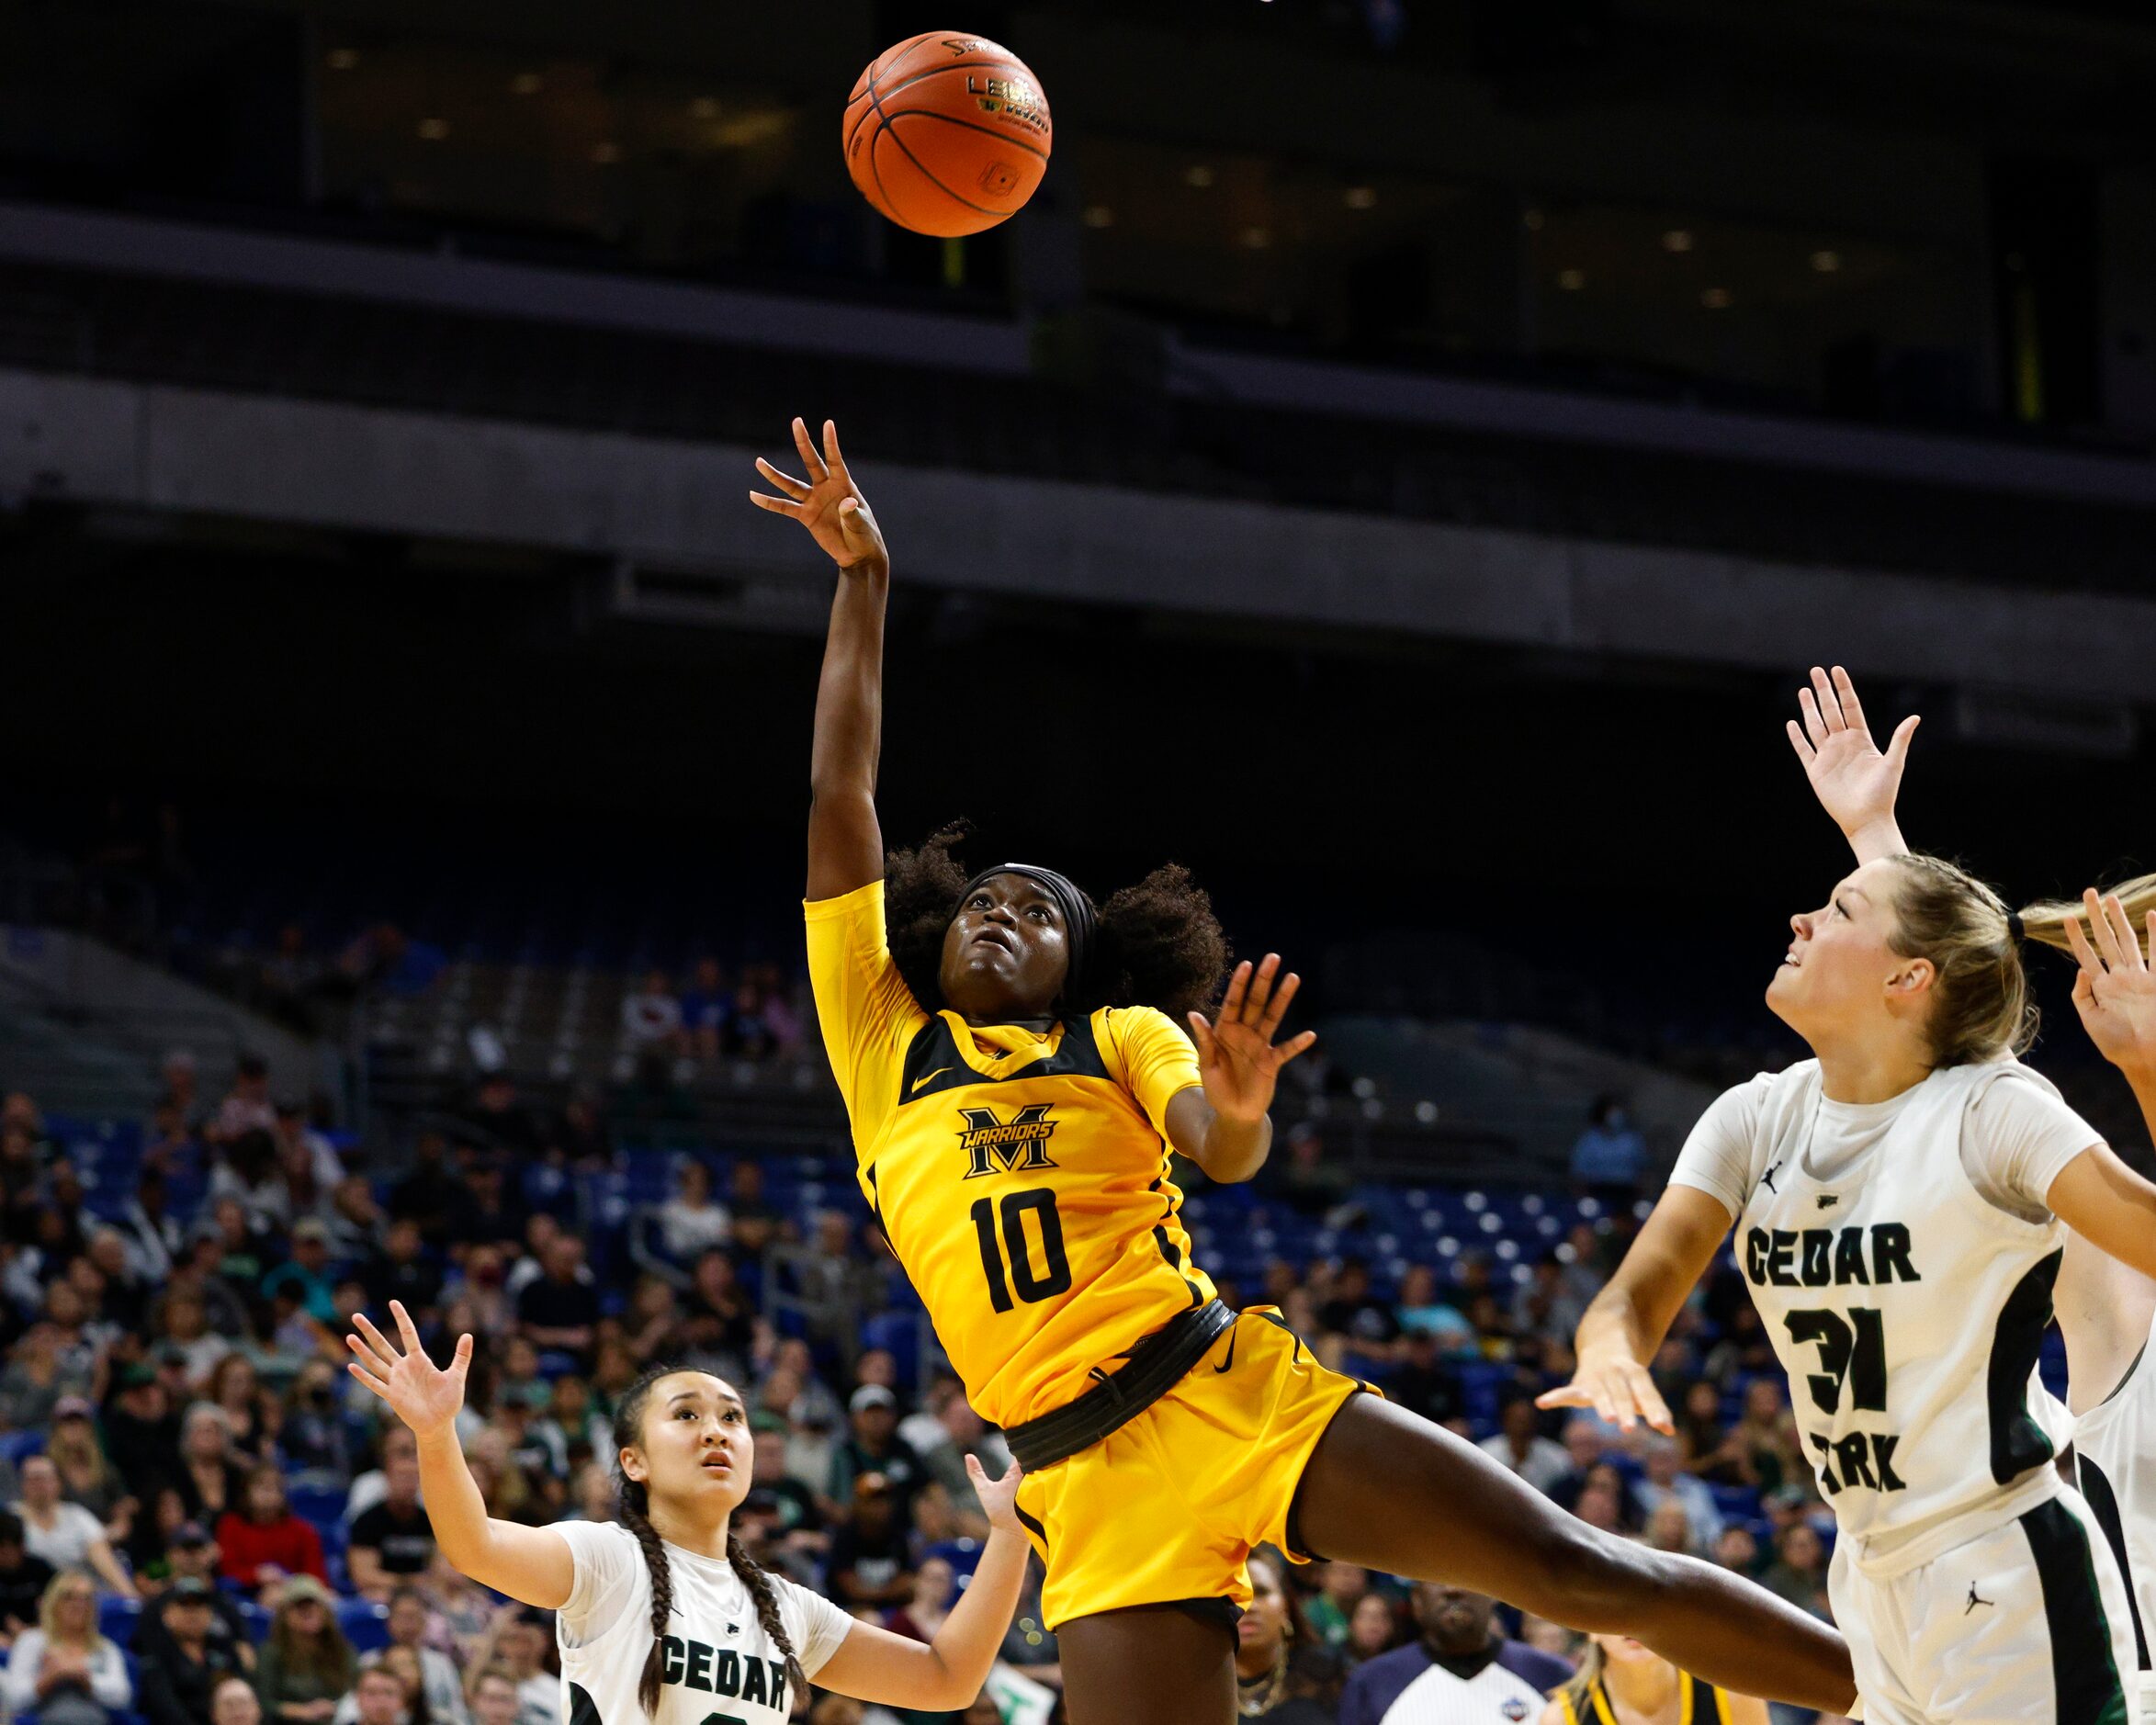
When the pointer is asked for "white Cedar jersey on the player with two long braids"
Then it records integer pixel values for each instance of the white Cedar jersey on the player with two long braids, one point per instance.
(719, 1664)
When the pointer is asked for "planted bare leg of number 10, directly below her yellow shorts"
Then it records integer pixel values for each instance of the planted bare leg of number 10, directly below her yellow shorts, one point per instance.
(1148, 1666)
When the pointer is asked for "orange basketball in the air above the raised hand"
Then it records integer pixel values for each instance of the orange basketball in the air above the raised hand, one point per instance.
(948, 135)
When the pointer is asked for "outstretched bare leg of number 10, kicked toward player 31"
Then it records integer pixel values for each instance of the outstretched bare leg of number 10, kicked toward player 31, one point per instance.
(1396, 1493)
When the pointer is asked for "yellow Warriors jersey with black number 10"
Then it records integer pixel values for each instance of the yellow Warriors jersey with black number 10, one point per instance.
(1021, 1176)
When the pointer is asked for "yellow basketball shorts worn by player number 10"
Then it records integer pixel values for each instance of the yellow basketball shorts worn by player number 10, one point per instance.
(1170, 1506)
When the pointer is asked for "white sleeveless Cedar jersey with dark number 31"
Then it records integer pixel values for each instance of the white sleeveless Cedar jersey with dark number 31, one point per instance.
(1903, 1303)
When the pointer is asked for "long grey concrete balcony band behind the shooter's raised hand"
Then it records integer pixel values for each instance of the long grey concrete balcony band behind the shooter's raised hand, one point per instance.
(682, 508)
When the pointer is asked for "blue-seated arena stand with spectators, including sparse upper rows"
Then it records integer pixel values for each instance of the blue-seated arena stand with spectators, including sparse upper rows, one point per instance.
(186, 1271)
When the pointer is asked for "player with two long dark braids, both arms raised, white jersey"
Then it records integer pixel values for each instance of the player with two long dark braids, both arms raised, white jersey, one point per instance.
(665, 1616)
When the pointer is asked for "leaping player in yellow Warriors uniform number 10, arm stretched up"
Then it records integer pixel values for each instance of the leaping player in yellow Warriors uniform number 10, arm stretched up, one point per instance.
(1017, 1075)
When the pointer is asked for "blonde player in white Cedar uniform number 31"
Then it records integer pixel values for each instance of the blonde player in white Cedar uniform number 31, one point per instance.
(1905, 1204)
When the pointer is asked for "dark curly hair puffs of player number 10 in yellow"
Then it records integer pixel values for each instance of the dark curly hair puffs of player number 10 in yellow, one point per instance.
(1159, 943)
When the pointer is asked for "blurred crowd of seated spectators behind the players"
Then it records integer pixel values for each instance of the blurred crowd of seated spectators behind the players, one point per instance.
(208, 1523)
